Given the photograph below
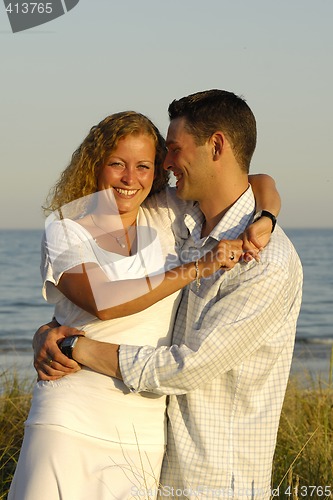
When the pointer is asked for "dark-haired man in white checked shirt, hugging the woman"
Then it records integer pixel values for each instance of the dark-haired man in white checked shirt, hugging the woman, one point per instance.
(227, 370)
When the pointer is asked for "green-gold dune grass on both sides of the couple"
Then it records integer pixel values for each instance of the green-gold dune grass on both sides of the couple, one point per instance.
(303, 461)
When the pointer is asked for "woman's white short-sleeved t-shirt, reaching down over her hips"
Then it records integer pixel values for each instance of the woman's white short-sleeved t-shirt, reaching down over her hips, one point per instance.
(79, 400)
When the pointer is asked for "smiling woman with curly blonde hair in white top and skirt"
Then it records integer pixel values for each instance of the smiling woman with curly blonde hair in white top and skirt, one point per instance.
(106, 259)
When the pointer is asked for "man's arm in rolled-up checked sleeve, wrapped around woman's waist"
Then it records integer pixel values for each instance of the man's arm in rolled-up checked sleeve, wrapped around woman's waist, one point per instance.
(235, 327)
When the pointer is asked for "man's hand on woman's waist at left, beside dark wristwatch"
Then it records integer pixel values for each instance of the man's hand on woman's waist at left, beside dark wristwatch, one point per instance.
(49, 361)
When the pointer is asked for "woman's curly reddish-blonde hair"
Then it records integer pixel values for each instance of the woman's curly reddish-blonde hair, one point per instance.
(79, 179)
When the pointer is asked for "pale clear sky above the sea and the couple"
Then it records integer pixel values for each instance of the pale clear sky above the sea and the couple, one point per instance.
(103, 56)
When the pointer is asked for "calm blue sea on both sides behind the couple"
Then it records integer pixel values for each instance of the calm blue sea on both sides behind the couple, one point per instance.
(23, 309)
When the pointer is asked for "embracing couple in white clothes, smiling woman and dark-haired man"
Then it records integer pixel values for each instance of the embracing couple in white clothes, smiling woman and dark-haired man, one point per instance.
(164, 369)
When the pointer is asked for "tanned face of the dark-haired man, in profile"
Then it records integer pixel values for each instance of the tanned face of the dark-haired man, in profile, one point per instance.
(187, 161)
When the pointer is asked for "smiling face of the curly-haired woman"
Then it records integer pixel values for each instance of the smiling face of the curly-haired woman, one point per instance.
(129, 172)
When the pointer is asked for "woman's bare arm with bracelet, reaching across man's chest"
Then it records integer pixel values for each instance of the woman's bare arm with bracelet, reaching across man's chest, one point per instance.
(88, 287)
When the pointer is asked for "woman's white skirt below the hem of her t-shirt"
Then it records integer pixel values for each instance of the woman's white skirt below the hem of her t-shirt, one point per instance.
(60, 464)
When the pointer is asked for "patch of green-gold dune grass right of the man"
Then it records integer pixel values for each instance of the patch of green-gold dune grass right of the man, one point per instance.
(303, 461)
